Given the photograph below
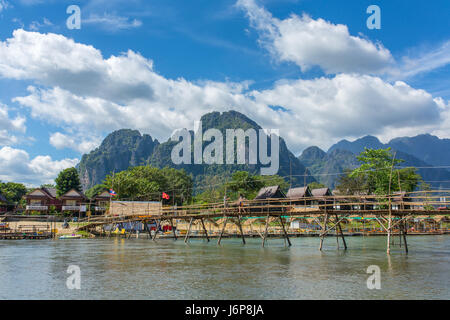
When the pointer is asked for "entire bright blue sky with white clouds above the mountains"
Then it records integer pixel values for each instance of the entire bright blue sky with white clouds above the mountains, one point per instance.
(310, 68)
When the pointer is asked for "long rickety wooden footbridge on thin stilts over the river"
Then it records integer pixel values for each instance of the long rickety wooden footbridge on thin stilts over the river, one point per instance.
(392, 213)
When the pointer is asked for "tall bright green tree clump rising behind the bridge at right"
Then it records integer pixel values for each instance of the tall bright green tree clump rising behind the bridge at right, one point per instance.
(374, 174)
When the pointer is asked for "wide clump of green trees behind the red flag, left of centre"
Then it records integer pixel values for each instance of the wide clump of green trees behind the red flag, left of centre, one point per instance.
(146, 183)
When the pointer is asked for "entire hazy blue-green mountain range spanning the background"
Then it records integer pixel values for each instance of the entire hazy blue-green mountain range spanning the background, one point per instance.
(127, 148)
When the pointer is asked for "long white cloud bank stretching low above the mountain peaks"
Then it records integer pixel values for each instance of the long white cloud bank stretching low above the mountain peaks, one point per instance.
(76, 88)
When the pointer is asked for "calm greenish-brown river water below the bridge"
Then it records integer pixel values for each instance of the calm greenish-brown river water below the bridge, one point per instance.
(167, 269)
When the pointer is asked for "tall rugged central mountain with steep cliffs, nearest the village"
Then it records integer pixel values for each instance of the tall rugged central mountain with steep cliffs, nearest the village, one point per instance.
(127, 148)
